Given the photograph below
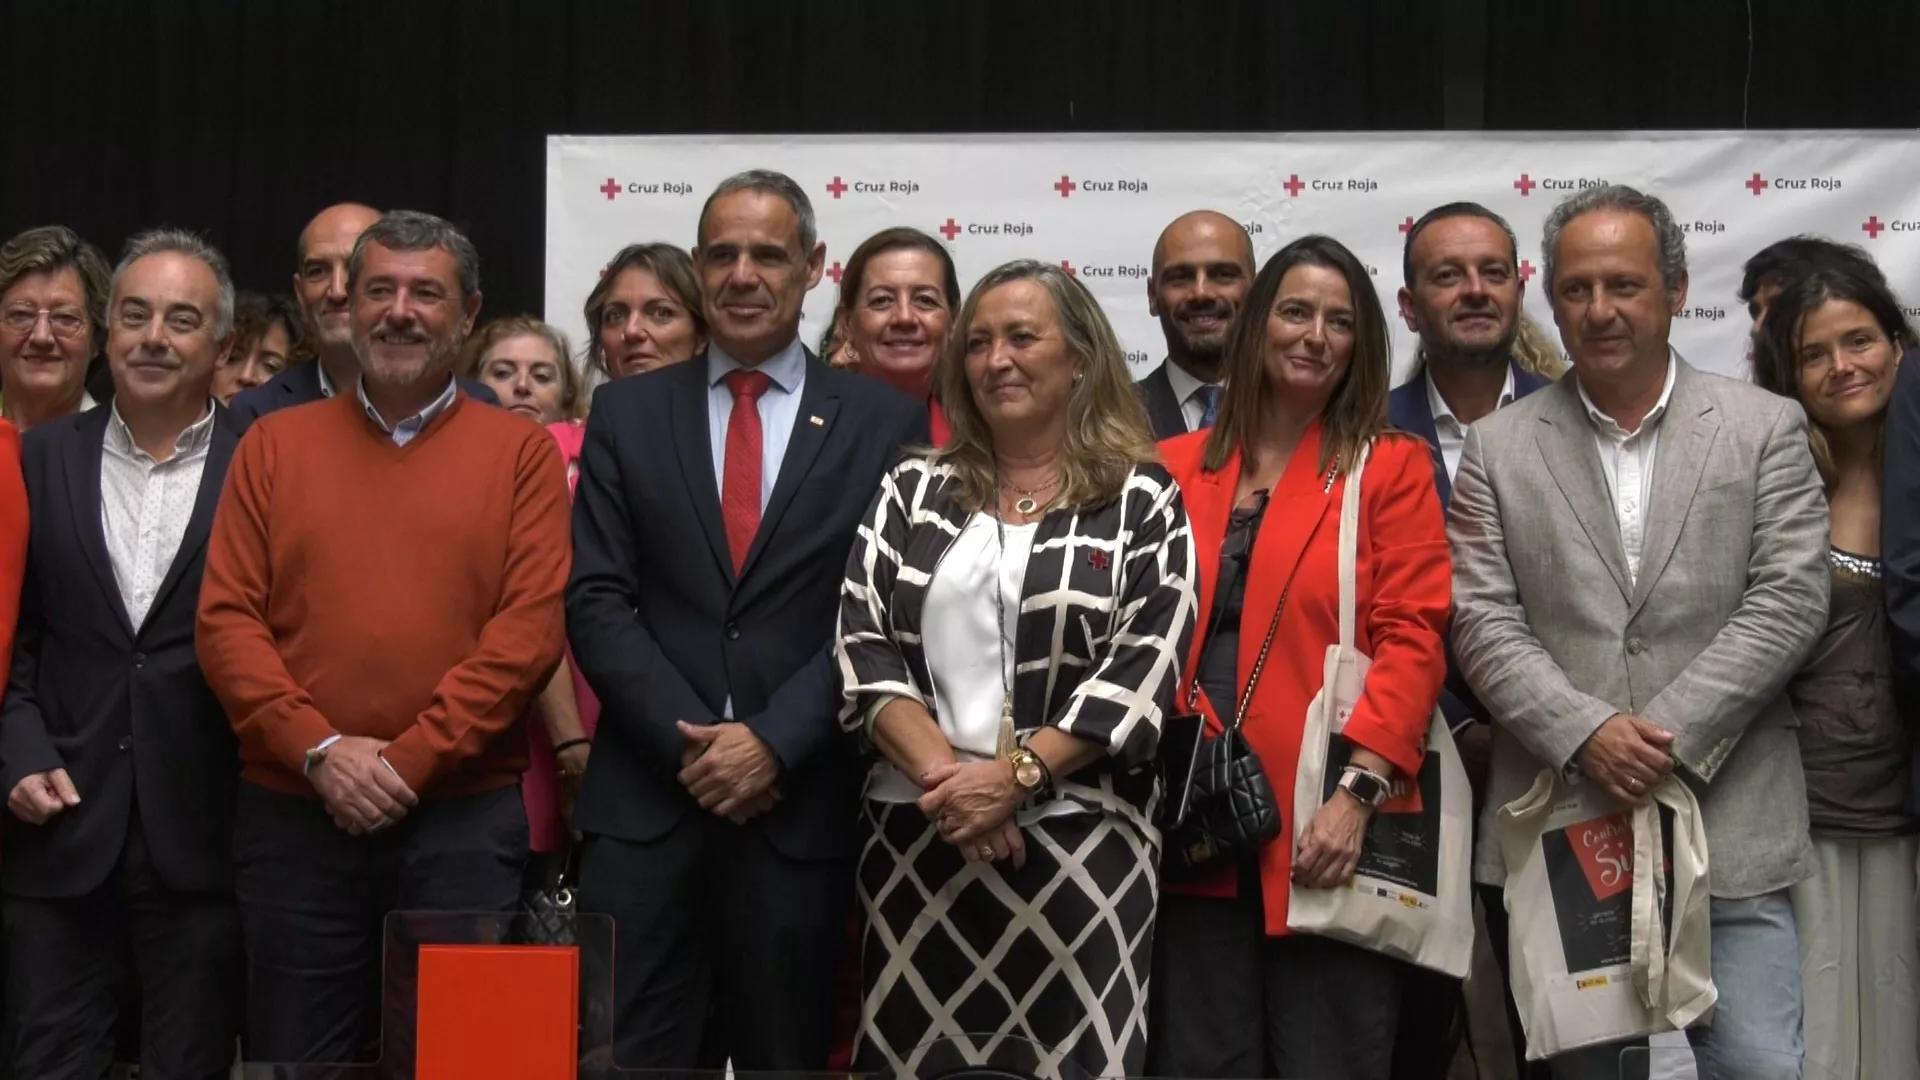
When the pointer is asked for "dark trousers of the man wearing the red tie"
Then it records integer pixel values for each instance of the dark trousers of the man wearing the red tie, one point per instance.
(725, 950)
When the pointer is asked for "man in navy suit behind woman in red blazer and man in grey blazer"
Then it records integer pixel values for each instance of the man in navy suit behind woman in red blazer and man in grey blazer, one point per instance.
(1464, 299)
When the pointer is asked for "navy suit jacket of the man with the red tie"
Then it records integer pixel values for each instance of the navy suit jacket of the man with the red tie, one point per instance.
(665, 631)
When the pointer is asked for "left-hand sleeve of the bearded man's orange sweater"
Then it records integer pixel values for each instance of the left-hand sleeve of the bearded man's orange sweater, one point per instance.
(272, 714)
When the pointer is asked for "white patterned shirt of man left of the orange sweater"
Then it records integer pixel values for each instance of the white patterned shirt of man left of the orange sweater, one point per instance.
(145, 506)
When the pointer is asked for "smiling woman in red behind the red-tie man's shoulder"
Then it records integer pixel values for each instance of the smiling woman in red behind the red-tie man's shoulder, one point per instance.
(898, 303)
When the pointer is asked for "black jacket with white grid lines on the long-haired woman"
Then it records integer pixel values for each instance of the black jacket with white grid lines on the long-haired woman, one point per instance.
(1107, 614)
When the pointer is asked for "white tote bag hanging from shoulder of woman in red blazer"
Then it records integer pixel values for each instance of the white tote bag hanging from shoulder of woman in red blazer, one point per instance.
(1410, 893)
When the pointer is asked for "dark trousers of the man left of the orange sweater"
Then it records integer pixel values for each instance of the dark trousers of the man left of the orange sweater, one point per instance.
(70, 958)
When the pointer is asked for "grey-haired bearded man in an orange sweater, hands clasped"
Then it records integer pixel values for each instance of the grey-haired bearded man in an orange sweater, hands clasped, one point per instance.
(383, 604)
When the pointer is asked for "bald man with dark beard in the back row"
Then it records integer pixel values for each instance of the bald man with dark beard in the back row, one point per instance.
(1203, 266)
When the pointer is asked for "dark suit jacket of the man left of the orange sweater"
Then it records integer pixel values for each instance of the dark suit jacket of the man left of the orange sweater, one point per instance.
(120, 708)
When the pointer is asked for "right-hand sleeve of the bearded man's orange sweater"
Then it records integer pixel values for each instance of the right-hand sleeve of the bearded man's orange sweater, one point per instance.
(519, 647)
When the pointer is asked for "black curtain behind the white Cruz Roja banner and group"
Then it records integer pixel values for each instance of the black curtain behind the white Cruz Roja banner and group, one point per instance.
(243, 118)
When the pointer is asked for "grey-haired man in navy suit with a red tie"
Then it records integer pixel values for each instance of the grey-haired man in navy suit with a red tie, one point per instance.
(713, 522)
